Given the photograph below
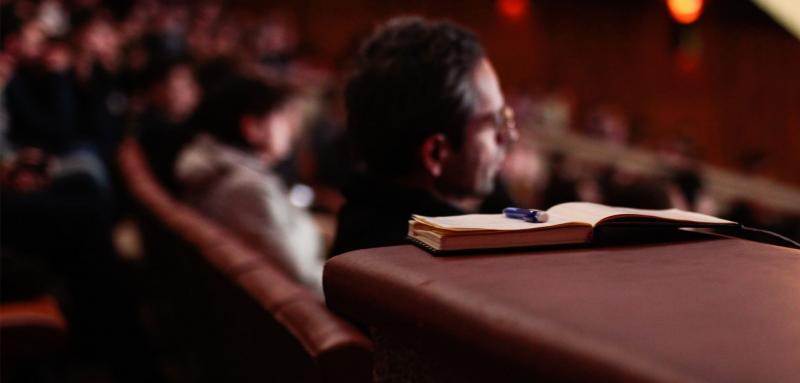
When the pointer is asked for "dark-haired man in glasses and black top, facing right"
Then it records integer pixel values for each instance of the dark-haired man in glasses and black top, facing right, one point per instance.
(428, 119)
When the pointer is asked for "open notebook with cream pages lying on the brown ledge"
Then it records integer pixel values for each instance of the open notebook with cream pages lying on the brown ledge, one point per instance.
(572, 222)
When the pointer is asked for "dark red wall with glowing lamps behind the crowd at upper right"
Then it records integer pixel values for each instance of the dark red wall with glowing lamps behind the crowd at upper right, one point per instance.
(741, 96)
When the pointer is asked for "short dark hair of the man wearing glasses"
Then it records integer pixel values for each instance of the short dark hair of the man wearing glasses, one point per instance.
(412, 80)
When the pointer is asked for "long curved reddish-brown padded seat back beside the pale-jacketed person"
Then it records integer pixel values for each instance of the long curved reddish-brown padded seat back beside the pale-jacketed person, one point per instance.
(237, 314)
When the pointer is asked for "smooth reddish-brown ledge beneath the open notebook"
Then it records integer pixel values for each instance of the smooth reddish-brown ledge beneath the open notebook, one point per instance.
(704, 310)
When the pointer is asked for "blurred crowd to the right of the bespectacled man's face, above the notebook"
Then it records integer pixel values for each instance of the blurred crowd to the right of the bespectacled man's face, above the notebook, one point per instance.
(672, 175)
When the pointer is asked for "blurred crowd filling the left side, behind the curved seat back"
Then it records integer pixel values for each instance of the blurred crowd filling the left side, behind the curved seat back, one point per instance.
(76, 78)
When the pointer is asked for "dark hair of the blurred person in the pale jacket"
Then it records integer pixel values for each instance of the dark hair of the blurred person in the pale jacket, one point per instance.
(221, 111)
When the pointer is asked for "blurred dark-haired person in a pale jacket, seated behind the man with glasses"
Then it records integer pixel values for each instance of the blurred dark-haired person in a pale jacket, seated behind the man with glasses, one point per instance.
(246, 128)
